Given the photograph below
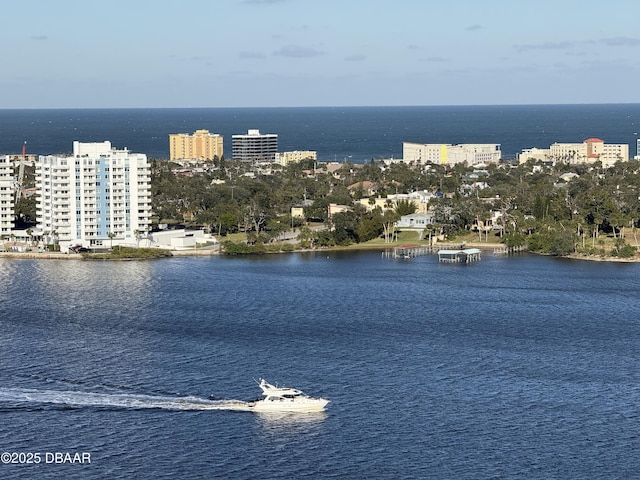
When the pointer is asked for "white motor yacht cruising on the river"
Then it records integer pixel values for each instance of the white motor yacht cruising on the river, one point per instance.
(285, 399)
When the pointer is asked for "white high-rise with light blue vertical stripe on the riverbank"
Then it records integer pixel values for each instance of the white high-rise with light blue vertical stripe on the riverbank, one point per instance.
(97, 197)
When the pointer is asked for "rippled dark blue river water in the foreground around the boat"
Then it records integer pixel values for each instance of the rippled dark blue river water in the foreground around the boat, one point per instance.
(521, 367)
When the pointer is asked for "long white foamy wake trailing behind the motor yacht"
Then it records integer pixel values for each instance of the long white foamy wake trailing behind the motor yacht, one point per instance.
(26, 396)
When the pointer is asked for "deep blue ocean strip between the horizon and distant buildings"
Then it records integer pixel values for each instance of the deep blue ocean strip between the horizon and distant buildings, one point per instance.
(355, 134)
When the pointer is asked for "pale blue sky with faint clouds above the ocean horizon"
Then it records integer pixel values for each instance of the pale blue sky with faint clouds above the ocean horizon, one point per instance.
(281, 53)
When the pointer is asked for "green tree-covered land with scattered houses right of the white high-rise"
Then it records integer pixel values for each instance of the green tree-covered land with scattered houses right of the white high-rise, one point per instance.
(537, 204)
